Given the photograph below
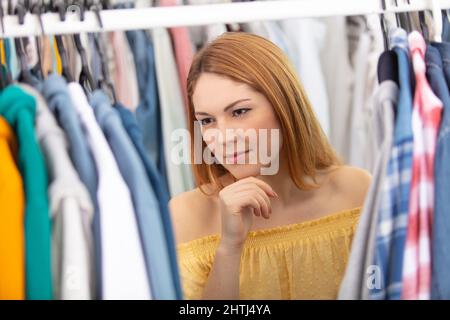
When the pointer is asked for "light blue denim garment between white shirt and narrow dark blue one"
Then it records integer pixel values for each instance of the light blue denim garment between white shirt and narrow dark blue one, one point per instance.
(146, 206)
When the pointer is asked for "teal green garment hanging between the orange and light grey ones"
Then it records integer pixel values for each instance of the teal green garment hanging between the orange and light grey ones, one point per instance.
(19, 109)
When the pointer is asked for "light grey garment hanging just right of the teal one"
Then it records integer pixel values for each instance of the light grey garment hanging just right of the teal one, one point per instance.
(71, 211)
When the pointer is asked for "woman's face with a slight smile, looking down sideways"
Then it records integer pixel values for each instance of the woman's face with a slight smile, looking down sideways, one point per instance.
(238, 125)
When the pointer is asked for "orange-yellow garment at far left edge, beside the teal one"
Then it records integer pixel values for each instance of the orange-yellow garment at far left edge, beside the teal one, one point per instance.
(12, 273)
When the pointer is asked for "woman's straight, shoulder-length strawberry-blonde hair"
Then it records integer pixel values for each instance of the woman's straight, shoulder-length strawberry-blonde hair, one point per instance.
(259, 63)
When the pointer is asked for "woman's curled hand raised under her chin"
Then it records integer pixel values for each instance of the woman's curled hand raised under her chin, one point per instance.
(239, 201)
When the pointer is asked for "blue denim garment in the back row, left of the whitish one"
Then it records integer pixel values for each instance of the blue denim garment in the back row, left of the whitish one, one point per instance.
(148, 114)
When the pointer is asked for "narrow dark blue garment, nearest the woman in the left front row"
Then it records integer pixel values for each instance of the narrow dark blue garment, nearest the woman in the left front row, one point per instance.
(130, 124)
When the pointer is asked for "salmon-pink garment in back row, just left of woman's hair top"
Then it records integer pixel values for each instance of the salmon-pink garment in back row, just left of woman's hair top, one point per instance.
(184, 52)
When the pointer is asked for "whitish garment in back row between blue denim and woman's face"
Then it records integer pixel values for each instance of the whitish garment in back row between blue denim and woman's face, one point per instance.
(178, 170)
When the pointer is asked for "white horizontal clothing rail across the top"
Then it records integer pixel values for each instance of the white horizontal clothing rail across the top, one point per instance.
(191, 15)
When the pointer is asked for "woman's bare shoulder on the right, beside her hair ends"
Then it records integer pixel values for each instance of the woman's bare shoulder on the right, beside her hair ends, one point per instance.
(350, 184)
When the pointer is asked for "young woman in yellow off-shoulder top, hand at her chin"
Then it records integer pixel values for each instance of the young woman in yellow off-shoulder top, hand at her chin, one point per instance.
(244, 234)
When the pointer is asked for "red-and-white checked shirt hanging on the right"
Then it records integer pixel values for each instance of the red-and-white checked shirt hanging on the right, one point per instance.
(426, 117)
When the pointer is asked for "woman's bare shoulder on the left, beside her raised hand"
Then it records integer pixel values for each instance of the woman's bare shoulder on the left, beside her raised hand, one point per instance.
(193, 214)
